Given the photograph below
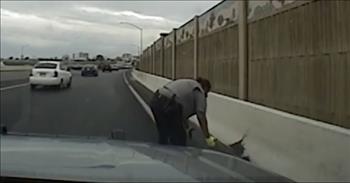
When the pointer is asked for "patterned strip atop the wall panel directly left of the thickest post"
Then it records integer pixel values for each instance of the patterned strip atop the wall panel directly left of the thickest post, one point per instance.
(222, 15)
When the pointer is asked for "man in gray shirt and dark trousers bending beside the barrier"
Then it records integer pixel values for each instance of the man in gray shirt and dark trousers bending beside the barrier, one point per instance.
(177, 101)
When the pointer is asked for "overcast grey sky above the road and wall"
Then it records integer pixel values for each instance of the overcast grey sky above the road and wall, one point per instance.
(56, 28)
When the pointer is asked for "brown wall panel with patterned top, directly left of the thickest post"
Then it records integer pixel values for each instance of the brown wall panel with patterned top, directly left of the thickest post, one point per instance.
(218, 48)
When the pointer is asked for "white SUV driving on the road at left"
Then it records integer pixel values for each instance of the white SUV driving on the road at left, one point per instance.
(50, 74)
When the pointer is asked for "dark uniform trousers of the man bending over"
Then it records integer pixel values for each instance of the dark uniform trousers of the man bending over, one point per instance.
(168, 116)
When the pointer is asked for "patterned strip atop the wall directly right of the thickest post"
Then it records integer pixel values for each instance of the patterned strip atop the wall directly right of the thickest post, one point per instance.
(259, 9)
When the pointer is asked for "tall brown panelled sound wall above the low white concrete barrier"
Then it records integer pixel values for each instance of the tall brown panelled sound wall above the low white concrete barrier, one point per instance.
(289, 55)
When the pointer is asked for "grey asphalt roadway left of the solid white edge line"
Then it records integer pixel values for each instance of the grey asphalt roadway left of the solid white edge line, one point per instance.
(93, 106)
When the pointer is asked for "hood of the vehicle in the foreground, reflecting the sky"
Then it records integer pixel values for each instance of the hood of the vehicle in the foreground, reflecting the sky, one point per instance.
(103, 160)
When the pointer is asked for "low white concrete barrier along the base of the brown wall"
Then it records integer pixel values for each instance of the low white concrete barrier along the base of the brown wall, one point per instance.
(298, 148)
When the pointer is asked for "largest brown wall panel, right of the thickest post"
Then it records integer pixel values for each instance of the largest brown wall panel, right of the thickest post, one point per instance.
(298, 60)
